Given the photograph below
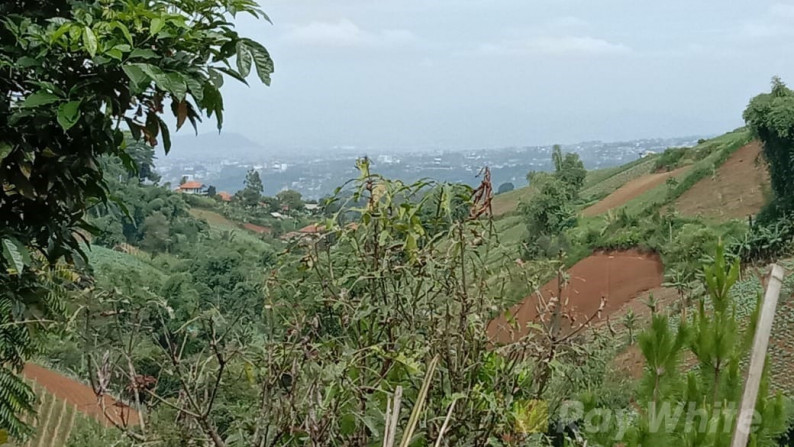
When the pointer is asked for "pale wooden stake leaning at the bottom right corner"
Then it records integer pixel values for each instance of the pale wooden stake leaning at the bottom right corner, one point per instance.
(744, 419)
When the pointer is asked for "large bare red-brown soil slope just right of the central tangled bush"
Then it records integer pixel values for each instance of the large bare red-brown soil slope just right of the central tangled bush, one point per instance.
(619, 277)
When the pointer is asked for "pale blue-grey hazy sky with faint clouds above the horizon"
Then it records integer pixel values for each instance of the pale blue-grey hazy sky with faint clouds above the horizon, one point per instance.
(416, 74)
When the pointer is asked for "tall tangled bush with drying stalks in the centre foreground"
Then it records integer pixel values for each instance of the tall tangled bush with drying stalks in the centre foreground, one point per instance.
(342, 324)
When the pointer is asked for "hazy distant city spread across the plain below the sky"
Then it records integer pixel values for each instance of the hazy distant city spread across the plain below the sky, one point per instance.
(317, 174)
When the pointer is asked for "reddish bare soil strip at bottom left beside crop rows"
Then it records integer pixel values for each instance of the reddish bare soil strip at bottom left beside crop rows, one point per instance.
(81, 396)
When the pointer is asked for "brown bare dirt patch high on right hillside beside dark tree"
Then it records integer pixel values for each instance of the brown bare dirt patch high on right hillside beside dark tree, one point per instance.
(736, 190)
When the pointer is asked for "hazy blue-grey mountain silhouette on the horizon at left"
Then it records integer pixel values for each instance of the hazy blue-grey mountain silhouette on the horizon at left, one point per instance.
(215, 145)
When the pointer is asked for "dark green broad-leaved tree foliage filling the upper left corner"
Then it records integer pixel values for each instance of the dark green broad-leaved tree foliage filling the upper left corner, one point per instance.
(71, 75)
